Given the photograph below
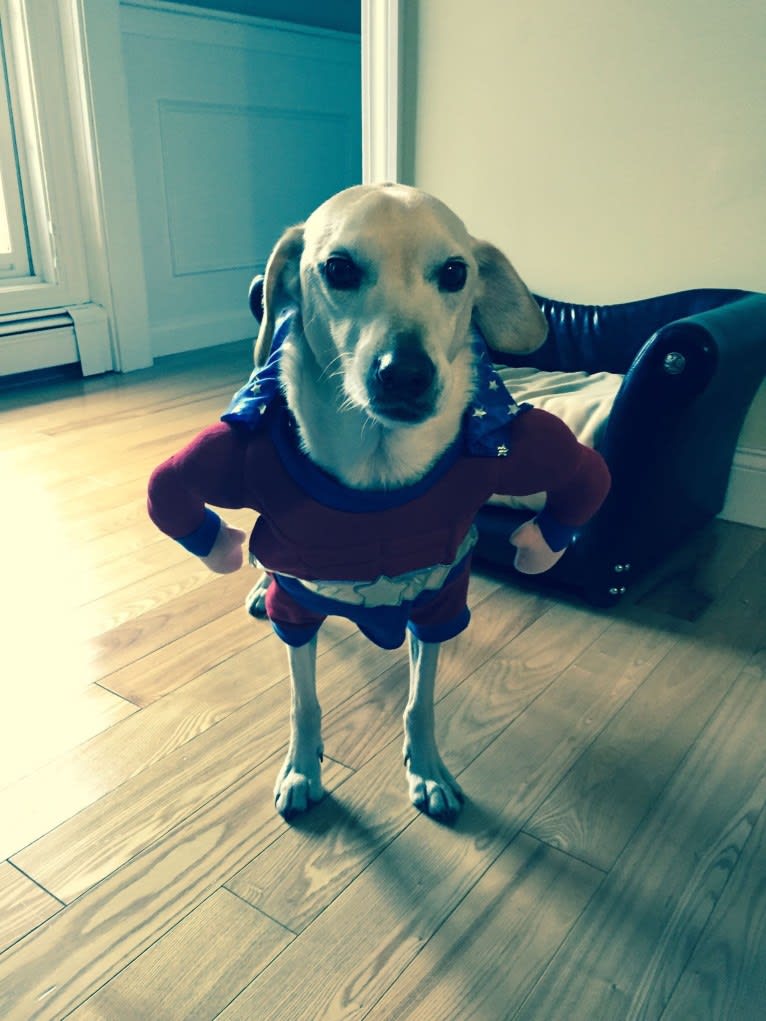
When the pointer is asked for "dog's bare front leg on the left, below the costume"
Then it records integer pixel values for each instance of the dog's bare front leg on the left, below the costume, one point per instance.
(300, 782)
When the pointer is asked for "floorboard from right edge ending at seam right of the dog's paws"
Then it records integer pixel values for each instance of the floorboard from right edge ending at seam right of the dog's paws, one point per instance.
(598, 807)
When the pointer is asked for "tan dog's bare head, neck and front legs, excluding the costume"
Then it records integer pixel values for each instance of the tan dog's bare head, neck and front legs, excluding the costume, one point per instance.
(386, 277)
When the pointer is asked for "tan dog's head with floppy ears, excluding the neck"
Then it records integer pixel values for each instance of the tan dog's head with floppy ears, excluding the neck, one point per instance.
(387, 280)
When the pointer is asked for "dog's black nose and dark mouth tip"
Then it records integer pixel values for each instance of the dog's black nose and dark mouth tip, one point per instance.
(402, 384)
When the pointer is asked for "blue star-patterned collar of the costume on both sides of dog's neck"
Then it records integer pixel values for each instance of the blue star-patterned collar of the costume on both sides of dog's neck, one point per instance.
(486, 431)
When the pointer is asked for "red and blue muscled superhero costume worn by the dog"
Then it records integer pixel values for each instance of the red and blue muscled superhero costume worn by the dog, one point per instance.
(386, 559)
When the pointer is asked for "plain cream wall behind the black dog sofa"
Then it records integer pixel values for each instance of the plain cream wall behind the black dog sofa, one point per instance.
(615, 150)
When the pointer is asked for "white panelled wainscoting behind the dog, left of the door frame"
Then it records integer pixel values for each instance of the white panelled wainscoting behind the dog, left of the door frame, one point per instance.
(241, 128)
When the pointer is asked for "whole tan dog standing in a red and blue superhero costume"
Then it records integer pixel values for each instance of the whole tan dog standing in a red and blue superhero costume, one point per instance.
(369, 360)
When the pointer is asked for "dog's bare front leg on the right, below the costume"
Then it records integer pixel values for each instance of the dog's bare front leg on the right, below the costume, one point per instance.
(434, 790)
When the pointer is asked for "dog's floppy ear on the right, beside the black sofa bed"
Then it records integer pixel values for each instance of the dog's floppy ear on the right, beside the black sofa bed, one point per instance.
(505, 312)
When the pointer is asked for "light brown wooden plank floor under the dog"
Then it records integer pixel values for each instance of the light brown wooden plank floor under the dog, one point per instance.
(611, 860)
